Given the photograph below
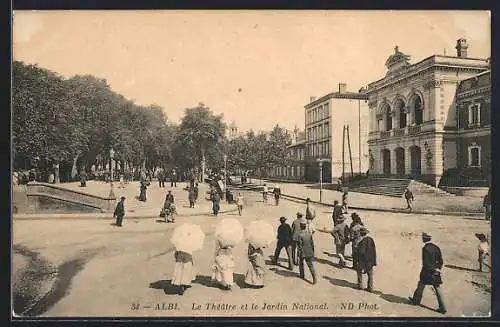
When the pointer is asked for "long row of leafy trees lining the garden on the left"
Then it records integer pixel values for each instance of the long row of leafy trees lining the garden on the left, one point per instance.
(76, 121)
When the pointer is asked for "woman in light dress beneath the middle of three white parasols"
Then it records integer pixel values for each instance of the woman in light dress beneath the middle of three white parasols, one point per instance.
(223, 265)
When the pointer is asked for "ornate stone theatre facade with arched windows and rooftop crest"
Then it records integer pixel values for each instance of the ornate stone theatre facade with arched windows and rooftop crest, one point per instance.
(412, 112)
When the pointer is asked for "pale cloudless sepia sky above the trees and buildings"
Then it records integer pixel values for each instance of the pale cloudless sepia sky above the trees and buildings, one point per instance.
(257, 68)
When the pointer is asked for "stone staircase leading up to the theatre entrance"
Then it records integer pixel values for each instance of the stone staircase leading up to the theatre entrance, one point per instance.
(394, 187)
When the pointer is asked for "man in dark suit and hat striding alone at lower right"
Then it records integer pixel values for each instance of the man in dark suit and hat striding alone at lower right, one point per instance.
(430, 274)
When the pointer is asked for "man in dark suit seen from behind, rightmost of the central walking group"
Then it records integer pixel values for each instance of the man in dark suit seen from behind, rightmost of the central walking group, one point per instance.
(367, 259)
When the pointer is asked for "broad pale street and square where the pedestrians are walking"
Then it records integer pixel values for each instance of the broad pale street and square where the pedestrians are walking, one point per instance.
(111, 271)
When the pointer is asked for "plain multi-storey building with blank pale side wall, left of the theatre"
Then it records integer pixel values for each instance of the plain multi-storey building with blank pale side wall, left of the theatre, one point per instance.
(325, 119)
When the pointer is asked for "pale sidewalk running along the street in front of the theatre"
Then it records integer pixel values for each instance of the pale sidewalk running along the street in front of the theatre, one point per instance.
(423, 204)
